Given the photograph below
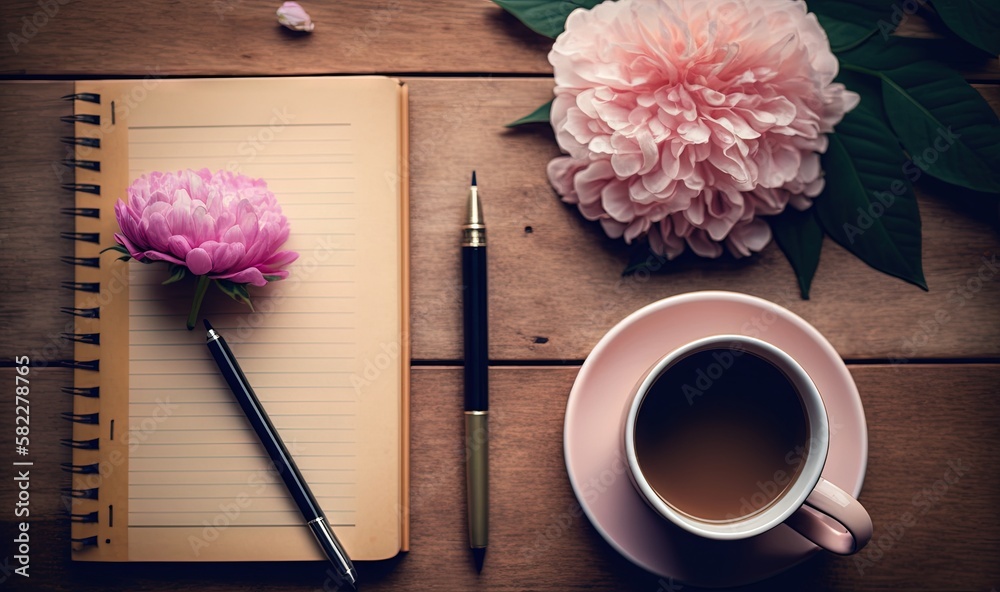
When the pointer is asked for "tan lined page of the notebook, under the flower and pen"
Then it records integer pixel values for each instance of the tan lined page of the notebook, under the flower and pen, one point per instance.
(319, 348)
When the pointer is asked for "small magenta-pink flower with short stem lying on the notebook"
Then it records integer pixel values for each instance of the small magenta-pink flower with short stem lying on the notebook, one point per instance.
(218, 226)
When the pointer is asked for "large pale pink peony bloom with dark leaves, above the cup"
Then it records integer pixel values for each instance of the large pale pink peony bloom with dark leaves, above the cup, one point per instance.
(686, 120)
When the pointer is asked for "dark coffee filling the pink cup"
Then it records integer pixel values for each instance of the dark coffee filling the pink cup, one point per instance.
(721, 434)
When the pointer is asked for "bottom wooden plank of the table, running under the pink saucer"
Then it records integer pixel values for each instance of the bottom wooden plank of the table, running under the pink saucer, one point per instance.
(921, 421)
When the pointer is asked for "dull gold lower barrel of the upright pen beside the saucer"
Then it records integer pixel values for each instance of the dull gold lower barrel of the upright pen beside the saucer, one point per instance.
(477, 476)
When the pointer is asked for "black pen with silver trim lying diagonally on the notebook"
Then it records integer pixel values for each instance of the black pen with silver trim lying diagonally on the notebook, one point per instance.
(283, 462)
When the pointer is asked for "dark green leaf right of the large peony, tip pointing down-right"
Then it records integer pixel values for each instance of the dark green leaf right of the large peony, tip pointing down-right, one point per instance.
(868, 206)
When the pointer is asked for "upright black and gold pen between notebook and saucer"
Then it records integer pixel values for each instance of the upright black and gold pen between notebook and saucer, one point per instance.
(476, 366)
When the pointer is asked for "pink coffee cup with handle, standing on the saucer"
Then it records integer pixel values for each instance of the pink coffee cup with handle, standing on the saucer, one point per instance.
(816, 508)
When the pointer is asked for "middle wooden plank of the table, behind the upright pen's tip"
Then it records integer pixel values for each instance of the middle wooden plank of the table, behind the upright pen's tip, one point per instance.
(555, 290)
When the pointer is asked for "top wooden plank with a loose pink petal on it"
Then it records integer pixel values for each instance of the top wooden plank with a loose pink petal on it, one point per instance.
(241, 37)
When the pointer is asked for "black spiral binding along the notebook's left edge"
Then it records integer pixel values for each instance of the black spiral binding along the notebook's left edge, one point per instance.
(84, 161)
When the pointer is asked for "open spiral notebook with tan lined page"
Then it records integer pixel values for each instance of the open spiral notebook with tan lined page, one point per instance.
(165, 466)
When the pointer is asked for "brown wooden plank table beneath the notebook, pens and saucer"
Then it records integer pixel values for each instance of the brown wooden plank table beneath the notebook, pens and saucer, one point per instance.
(556, 288)
